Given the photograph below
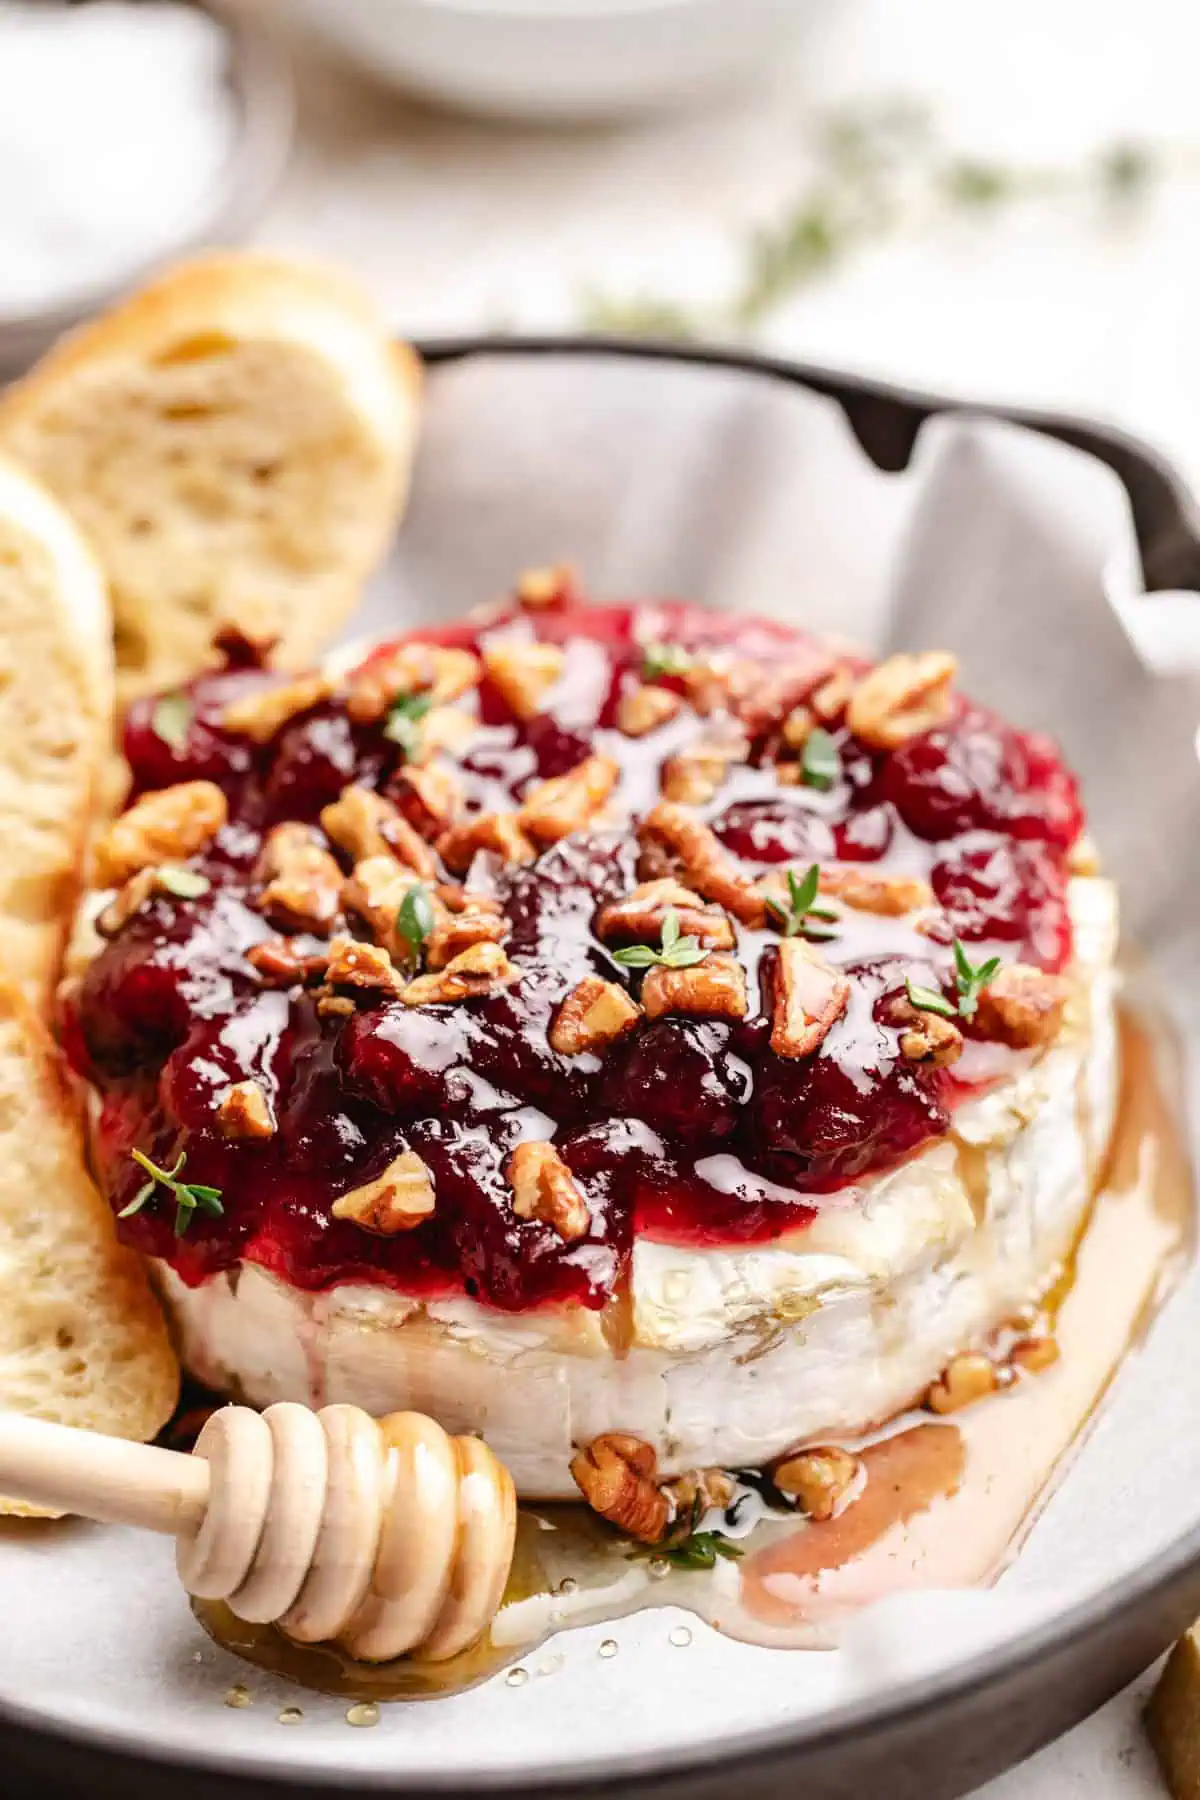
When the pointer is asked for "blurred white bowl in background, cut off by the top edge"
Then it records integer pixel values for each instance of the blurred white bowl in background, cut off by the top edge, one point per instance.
(560, 60)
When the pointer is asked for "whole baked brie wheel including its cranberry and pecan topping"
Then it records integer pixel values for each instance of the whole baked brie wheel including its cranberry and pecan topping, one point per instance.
(589, 1021)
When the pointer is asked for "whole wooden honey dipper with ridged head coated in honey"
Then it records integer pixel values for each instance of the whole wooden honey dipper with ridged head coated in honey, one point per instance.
(386, 1536)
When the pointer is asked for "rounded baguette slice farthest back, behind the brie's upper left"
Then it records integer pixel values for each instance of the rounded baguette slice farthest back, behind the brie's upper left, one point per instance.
(237, 444)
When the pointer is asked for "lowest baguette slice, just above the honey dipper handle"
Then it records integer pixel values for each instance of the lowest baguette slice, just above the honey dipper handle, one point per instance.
(82, 1336)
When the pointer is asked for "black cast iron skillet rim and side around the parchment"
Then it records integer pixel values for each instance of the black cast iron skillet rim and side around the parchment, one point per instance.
(933, 1740)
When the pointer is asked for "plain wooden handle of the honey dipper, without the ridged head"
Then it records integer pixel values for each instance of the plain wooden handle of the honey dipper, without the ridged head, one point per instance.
(102, 1479)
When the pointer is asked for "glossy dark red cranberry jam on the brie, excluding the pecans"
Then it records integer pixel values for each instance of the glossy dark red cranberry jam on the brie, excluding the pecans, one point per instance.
(688, 1129)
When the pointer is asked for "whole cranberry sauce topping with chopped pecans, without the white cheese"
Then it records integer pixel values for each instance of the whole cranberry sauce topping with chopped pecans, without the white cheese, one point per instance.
(690, 1119)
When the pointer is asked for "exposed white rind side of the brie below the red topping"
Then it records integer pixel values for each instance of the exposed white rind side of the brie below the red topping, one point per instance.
(733, 1354)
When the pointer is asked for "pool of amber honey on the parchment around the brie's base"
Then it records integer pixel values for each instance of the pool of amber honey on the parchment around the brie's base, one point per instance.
(945, 1504)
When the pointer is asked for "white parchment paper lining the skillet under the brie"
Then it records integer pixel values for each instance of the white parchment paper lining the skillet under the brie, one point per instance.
(746, 494)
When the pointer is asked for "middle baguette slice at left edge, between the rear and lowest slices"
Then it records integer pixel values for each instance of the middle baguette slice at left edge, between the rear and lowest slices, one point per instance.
(55, 724)
